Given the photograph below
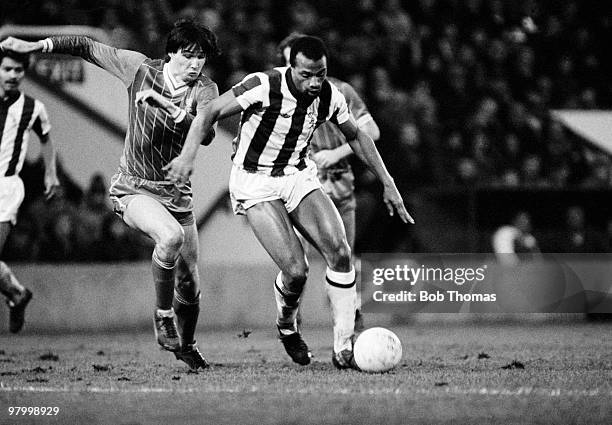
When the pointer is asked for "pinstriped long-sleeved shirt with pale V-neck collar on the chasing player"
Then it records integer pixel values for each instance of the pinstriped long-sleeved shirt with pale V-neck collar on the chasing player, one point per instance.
(153, 137)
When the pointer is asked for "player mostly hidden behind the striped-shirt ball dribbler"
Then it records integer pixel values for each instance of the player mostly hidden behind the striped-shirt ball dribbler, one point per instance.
(330, 151)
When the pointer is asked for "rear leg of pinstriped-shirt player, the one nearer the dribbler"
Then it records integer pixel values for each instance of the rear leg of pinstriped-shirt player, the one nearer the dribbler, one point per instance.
(187, 300)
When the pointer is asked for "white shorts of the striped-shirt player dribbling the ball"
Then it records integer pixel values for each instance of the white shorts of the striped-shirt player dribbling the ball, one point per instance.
(248, 188)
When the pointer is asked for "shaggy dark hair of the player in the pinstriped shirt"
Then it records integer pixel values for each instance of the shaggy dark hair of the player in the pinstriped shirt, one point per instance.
(186, 32)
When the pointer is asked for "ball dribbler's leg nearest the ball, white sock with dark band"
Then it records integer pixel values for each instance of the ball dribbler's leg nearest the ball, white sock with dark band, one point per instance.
(319, 221)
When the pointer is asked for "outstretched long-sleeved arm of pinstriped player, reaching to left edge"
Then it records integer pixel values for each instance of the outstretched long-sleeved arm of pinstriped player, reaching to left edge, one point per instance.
(123, 64)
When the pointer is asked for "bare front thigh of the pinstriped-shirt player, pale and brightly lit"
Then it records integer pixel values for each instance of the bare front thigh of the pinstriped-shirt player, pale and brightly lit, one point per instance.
(151, 217)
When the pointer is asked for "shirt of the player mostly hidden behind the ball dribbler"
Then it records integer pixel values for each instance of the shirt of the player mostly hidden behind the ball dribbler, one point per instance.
(329, 136)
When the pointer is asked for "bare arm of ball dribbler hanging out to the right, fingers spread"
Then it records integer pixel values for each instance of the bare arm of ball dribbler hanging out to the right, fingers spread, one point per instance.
(365, 149)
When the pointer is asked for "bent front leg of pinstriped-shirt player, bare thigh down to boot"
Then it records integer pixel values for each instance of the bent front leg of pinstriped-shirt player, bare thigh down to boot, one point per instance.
(148, 215)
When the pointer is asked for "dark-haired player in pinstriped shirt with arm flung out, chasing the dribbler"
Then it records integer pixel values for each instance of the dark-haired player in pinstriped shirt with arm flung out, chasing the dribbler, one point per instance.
(175, 90)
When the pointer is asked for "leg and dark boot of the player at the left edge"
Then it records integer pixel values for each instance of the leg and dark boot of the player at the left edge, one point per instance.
(17, 296)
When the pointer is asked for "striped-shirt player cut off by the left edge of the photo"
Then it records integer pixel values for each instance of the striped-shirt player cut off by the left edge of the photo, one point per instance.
(19, 116)
